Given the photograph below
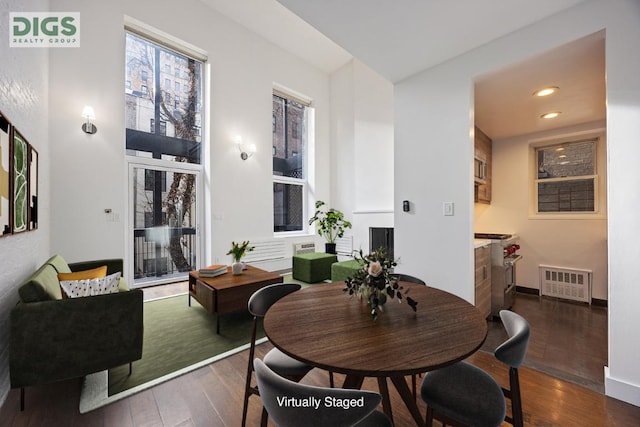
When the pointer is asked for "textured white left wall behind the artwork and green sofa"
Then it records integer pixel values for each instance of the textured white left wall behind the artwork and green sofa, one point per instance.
(24, 101)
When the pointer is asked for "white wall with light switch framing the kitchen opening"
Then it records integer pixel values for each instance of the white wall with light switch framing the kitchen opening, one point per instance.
(434, 118)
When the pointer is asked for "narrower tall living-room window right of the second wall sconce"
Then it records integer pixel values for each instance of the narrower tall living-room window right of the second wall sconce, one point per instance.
(290, 144)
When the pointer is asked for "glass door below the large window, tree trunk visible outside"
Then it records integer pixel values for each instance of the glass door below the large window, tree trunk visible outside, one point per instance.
(164, 219)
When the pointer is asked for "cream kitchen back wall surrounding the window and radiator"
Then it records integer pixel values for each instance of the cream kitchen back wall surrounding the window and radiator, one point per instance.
(579, 242)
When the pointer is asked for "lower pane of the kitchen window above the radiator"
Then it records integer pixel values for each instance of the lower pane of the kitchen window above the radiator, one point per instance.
(566, 196)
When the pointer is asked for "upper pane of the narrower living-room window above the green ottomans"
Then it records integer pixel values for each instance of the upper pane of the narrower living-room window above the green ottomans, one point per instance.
(289, 138)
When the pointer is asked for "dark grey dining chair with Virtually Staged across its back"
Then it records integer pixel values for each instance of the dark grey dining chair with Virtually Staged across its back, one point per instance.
(323, 406)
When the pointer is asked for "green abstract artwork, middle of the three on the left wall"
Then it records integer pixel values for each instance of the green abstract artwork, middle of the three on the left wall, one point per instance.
(20, 182)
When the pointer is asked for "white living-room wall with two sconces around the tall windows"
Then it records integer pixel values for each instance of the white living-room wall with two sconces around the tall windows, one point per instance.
(244, 68)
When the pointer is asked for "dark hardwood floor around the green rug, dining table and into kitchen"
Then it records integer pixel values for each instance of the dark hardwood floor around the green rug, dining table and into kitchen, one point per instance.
(568, 340)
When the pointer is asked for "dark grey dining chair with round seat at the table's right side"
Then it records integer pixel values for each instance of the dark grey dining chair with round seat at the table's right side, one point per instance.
(463, 394)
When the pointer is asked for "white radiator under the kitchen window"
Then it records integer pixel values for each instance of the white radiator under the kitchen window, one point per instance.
(567, 283)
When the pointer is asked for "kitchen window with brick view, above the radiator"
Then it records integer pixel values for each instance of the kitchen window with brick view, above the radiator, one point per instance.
(567, 179)
